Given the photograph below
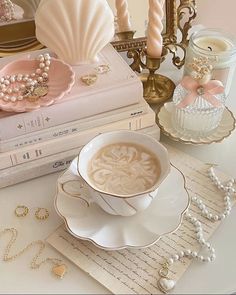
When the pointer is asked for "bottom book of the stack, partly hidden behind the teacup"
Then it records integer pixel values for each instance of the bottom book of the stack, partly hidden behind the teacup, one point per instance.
(51, 164)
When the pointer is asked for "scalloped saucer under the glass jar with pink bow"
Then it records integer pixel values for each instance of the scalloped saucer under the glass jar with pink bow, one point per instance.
(224, 130)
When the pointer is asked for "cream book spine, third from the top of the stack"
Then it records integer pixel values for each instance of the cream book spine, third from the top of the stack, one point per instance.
(47, 148)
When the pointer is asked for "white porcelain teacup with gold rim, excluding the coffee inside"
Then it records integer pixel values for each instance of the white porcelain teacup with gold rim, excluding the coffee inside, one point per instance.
(116, 204)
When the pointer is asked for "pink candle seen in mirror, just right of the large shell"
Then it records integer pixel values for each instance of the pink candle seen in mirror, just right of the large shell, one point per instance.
(123, 17)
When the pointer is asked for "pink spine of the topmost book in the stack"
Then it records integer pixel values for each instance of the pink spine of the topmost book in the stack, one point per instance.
(68, 111)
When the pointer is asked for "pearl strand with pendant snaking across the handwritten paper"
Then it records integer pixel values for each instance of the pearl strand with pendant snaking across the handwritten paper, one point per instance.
(165, 284)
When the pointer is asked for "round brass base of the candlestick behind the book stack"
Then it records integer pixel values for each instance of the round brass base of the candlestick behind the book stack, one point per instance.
(158, 92)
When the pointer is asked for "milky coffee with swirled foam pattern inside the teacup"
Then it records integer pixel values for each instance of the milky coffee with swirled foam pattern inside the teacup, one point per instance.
(124, 169)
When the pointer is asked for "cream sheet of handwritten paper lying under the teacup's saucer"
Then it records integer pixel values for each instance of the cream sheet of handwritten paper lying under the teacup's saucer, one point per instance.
(136, 271)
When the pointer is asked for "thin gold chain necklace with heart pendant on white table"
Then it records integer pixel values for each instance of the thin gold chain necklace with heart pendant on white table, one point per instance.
(59, 269)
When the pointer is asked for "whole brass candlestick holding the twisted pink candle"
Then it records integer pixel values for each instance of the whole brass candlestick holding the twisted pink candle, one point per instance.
(157, 88)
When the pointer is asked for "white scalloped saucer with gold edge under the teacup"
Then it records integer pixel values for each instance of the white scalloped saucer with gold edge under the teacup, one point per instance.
(109, 232)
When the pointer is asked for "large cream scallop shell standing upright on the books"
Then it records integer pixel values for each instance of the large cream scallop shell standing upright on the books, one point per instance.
(78, 29)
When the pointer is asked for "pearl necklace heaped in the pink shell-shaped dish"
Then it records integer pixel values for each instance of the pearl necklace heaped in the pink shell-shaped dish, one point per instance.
(18, 87)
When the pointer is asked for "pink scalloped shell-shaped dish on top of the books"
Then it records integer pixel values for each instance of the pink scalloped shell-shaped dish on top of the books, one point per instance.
(61, 80)
